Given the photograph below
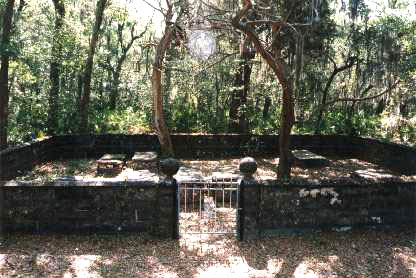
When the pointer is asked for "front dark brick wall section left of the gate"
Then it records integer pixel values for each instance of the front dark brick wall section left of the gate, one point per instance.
(91, 207)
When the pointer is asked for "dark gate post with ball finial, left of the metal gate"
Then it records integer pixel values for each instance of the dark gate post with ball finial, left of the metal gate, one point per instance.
(167, 220)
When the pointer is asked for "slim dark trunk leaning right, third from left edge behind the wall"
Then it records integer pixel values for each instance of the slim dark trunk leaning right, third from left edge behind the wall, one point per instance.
(85, 99)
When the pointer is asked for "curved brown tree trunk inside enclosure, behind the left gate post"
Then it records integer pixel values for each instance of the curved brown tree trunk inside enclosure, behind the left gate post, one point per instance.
(159, 120)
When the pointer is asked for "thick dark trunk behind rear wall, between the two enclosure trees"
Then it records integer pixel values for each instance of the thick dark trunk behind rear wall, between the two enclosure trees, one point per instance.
(238, 121)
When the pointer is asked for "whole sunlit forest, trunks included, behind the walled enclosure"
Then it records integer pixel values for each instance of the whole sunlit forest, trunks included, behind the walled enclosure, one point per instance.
(353, 69)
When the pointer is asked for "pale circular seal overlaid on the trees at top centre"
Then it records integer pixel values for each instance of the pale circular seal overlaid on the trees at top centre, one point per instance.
(202, 44)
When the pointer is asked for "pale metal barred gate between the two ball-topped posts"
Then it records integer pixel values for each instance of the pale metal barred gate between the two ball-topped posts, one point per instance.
(208, 207)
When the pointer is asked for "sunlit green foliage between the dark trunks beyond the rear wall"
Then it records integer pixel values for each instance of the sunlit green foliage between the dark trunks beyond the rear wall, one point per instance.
(380, 47)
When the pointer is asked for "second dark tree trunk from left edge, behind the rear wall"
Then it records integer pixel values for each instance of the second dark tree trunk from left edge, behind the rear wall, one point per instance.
(55, 67)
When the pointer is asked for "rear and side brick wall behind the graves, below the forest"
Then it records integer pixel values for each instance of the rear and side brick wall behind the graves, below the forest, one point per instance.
(18, 159)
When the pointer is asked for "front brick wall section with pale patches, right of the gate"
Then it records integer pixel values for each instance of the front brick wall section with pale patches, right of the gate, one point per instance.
(276, 209)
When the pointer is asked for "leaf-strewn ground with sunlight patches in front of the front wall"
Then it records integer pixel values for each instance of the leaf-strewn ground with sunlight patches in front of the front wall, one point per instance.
(324, 255)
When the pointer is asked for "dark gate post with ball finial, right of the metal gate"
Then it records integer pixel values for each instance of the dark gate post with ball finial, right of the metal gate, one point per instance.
(248, 201)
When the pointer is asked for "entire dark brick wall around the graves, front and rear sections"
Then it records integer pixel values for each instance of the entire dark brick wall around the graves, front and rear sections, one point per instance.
(151, 207)
